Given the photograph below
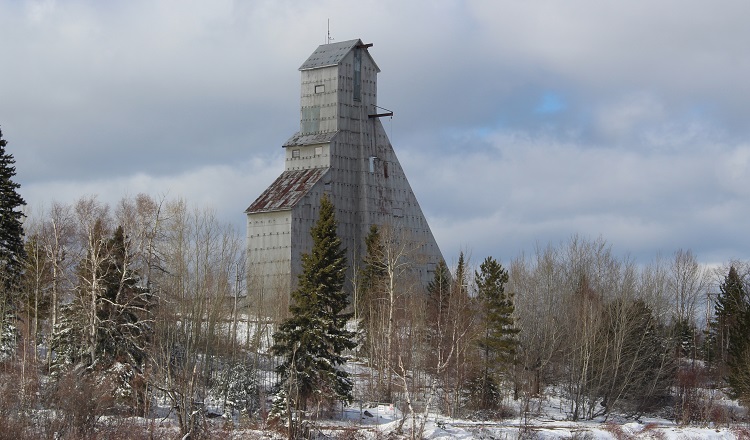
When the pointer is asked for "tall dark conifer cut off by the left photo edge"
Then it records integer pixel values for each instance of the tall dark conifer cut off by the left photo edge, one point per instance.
(12, 253)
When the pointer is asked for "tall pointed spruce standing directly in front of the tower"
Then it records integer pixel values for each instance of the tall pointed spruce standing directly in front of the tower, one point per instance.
(312, 340)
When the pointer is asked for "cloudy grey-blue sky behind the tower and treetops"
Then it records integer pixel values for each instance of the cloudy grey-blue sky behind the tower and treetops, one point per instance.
(518, 123)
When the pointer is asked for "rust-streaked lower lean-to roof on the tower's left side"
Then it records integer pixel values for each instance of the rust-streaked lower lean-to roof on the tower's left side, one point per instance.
(287, 190)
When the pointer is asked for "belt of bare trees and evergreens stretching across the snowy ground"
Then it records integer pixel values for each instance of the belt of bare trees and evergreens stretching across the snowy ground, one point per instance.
(146, 308)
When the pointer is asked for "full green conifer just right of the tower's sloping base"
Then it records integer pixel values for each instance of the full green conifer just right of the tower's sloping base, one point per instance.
(498, 338)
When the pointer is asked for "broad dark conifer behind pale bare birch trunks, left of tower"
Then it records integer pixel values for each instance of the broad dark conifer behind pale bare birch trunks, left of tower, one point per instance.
(107, 329)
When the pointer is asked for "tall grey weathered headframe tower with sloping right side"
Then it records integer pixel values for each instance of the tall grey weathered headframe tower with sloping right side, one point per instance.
(341, 150)
